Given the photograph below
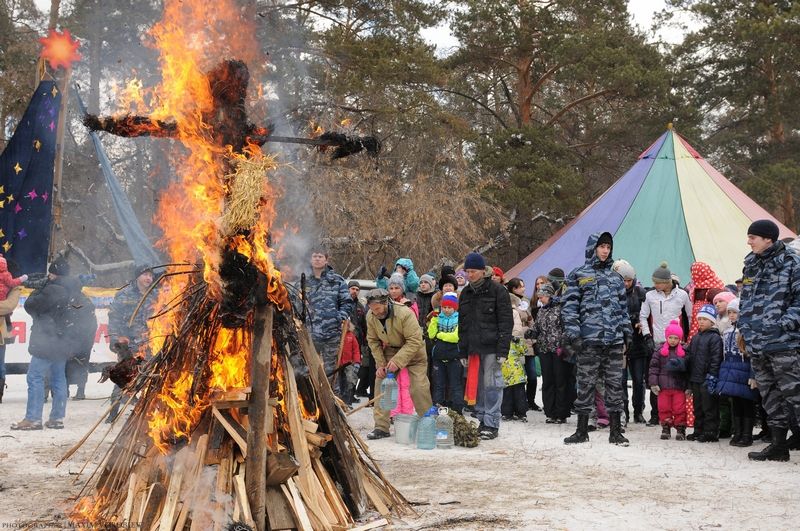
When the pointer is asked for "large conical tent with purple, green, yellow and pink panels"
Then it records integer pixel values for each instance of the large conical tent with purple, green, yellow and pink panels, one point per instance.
(670, 206)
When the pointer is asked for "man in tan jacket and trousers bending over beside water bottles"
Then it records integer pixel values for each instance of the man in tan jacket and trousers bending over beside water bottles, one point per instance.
(395, 339)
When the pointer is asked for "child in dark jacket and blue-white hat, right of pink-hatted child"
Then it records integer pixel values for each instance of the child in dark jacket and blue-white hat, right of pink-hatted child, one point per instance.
(705, 356)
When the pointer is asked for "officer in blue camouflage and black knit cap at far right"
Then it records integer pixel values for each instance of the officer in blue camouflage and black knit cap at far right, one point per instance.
(769, 321)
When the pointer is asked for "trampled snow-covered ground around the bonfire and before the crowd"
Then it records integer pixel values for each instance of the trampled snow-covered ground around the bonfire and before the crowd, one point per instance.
(525, 479)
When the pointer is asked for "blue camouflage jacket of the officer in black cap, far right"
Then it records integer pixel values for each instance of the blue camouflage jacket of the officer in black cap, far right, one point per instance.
(769, 315)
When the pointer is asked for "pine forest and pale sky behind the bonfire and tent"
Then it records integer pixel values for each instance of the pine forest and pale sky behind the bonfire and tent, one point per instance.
(490, 144)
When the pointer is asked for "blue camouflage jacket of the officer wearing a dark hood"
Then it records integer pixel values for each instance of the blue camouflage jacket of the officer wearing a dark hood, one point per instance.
(595, 304)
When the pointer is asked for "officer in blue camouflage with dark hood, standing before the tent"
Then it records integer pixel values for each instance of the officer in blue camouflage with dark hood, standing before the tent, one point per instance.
(597, 329)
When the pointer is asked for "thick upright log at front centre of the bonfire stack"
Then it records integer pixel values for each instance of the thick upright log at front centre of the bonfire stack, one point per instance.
(260, 415)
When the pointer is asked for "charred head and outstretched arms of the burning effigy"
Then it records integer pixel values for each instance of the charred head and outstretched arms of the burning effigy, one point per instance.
(227, 120)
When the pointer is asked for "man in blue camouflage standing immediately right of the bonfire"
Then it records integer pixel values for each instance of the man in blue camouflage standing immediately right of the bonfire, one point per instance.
(329, 303)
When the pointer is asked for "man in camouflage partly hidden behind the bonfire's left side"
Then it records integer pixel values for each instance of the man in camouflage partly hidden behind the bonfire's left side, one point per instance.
(130, 338)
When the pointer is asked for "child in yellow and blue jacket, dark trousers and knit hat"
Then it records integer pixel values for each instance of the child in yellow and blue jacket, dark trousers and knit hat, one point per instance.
(448, 362)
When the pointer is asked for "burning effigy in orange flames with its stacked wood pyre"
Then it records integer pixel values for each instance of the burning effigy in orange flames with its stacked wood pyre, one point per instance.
(234, 421)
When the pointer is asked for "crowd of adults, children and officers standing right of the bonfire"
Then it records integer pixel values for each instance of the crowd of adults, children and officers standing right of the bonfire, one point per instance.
(721, 359)
